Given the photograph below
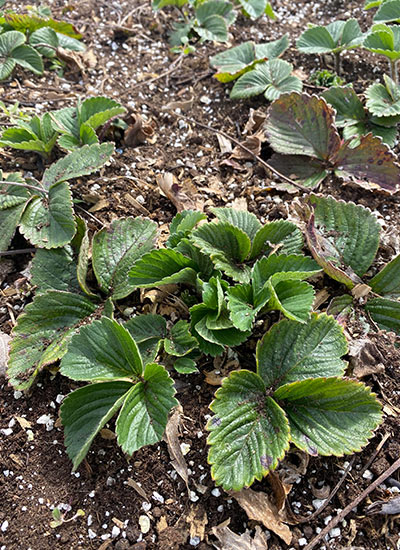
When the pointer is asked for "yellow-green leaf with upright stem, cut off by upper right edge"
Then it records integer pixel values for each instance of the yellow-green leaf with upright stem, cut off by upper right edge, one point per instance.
(385, 40)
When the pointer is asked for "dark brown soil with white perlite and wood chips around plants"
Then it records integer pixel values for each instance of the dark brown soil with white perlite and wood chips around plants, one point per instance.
(130, 61)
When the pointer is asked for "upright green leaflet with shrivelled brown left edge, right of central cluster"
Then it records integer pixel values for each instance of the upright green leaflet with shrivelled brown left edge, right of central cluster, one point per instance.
(351, 231)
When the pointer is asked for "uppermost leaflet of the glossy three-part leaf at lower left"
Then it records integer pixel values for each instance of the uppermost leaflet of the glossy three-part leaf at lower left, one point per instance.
(103, 350)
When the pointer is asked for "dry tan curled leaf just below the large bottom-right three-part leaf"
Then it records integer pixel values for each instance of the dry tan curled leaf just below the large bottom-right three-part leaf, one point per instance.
(259, 506)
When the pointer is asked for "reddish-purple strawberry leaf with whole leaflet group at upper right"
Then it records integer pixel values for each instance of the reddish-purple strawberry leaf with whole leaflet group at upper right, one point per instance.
(302, 130)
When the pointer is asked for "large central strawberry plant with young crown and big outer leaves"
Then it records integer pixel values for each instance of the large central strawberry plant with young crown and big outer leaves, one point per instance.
(127, 365)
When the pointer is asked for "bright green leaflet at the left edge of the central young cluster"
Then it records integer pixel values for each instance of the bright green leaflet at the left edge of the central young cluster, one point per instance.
(161, 267)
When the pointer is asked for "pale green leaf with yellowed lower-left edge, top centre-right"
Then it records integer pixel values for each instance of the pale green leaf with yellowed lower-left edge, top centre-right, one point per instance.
(234, 62)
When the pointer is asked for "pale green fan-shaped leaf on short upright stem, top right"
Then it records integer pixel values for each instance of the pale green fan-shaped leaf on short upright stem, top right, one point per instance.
(334, 38)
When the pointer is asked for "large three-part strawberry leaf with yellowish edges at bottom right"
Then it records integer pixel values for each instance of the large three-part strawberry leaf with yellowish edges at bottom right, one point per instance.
(298, 395)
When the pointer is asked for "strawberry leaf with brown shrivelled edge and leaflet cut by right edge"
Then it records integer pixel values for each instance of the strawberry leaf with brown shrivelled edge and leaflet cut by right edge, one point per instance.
(343, 239)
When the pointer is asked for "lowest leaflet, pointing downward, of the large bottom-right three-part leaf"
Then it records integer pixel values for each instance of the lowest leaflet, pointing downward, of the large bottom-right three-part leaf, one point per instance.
(248, 434)
